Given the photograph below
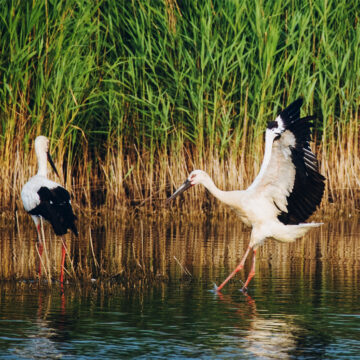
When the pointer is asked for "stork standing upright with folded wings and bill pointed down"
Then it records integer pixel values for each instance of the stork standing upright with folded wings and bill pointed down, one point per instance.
(44, 198)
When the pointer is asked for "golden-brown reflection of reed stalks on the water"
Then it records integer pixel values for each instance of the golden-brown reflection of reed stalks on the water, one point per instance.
(137, 251)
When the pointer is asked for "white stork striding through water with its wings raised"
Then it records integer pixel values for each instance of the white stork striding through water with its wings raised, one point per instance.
(284, 194)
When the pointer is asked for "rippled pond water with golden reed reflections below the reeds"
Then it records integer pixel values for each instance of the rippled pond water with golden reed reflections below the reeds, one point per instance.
(143, 290)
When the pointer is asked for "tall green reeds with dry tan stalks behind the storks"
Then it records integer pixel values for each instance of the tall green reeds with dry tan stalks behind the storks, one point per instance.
(135, 94)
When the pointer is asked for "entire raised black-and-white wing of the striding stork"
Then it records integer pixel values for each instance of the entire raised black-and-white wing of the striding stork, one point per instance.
(289, 176)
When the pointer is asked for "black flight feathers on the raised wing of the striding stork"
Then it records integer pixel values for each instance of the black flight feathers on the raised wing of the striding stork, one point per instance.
(309, 184)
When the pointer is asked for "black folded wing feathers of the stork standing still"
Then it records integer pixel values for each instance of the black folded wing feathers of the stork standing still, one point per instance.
(55, 207)
